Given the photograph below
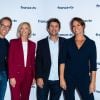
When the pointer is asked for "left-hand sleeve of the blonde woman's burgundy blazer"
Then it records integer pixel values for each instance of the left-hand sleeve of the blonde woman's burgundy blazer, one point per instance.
(11, 60)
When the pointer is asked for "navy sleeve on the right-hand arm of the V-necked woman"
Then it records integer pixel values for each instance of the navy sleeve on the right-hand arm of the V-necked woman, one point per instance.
(93, 57)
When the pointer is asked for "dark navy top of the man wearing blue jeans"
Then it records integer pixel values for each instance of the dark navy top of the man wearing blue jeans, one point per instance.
(3, 54)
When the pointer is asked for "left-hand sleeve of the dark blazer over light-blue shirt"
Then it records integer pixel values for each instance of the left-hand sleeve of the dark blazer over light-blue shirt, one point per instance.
(39, 61)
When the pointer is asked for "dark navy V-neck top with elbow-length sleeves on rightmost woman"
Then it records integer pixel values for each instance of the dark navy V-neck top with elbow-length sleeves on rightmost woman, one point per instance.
(79, 61)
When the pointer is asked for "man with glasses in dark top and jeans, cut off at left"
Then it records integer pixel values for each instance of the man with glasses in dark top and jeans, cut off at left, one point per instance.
(5, 26)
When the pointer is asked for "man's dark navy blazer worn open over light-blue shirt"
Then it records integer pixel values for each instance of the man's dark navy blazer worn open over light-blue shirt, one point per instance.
(43, 59)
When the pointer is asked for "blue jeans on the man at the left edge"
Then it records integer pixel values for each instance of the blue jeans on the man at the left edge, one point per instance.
(3, 84)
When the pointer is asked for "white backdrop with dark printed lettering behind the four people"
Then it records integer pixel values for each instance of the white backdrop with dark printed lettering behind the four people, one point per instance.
(37, 12)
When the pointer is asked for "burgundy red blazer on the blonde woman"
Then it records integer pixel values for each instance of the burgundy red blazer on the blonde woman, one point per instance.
(16, 59)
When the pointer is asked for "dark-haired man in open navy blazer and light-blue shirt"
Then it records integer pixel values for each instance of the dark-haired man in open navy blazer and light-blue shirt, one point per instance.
(47, 62)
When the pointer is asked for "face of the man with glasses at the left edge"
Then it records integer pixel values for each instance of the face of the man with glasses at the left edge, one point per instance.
(5, 27)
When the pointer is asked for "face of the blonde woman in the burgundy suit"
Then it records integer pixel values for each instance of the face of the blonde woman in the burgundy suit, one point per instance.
(24, 31)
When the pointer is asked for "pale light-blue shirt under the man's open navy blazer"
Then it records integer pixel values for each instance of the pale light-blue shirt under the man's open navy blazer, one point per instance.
(54, 51)
